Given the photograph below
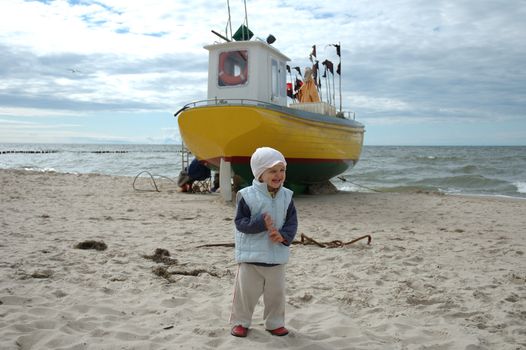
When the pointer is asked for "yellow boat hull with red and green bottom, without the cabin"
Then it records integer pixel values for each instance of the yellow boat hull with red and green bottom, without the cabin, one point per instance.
(316, 147)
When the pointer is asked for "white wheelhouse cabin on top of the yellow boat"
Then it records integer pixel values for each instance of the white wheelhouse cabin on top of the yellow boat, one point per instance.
(247, 70)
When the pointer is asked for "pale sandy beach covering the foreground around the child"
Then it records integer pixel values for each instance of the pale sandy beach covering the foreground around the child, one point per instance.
(441, 272)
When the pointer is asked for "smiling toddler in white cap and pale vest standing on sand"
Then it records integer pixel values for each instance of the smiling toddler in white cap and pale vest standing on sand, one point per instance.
(265, 225)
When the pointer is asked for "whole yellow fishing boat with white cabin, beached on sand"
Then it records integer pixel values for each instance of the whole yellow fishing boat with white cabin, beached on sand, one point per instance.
(247, 108)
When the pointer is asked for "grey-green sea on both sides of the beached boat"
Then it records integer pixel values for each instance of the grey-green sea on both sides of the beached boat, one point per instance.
(493, 171)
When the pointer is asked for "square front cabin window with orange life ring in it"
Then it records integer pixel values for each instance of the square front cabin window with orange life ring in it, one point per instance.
(233, 68)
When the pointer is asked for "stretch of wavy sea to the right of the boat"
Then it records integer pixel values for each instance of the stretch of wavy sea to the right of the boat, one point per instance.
(494, 171)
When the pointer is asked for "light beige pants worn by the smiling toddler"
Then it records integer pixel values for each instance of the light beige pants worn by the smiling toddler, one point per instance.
(251, 282)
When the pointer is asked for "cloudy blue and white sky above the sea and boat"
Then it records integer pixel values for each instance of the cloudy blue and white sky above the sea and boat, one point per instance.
(444, 72)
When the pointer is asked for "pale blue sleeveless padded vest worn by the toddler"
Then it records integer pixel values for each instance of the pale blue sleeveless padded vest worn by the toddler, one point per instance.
(257, 247)
